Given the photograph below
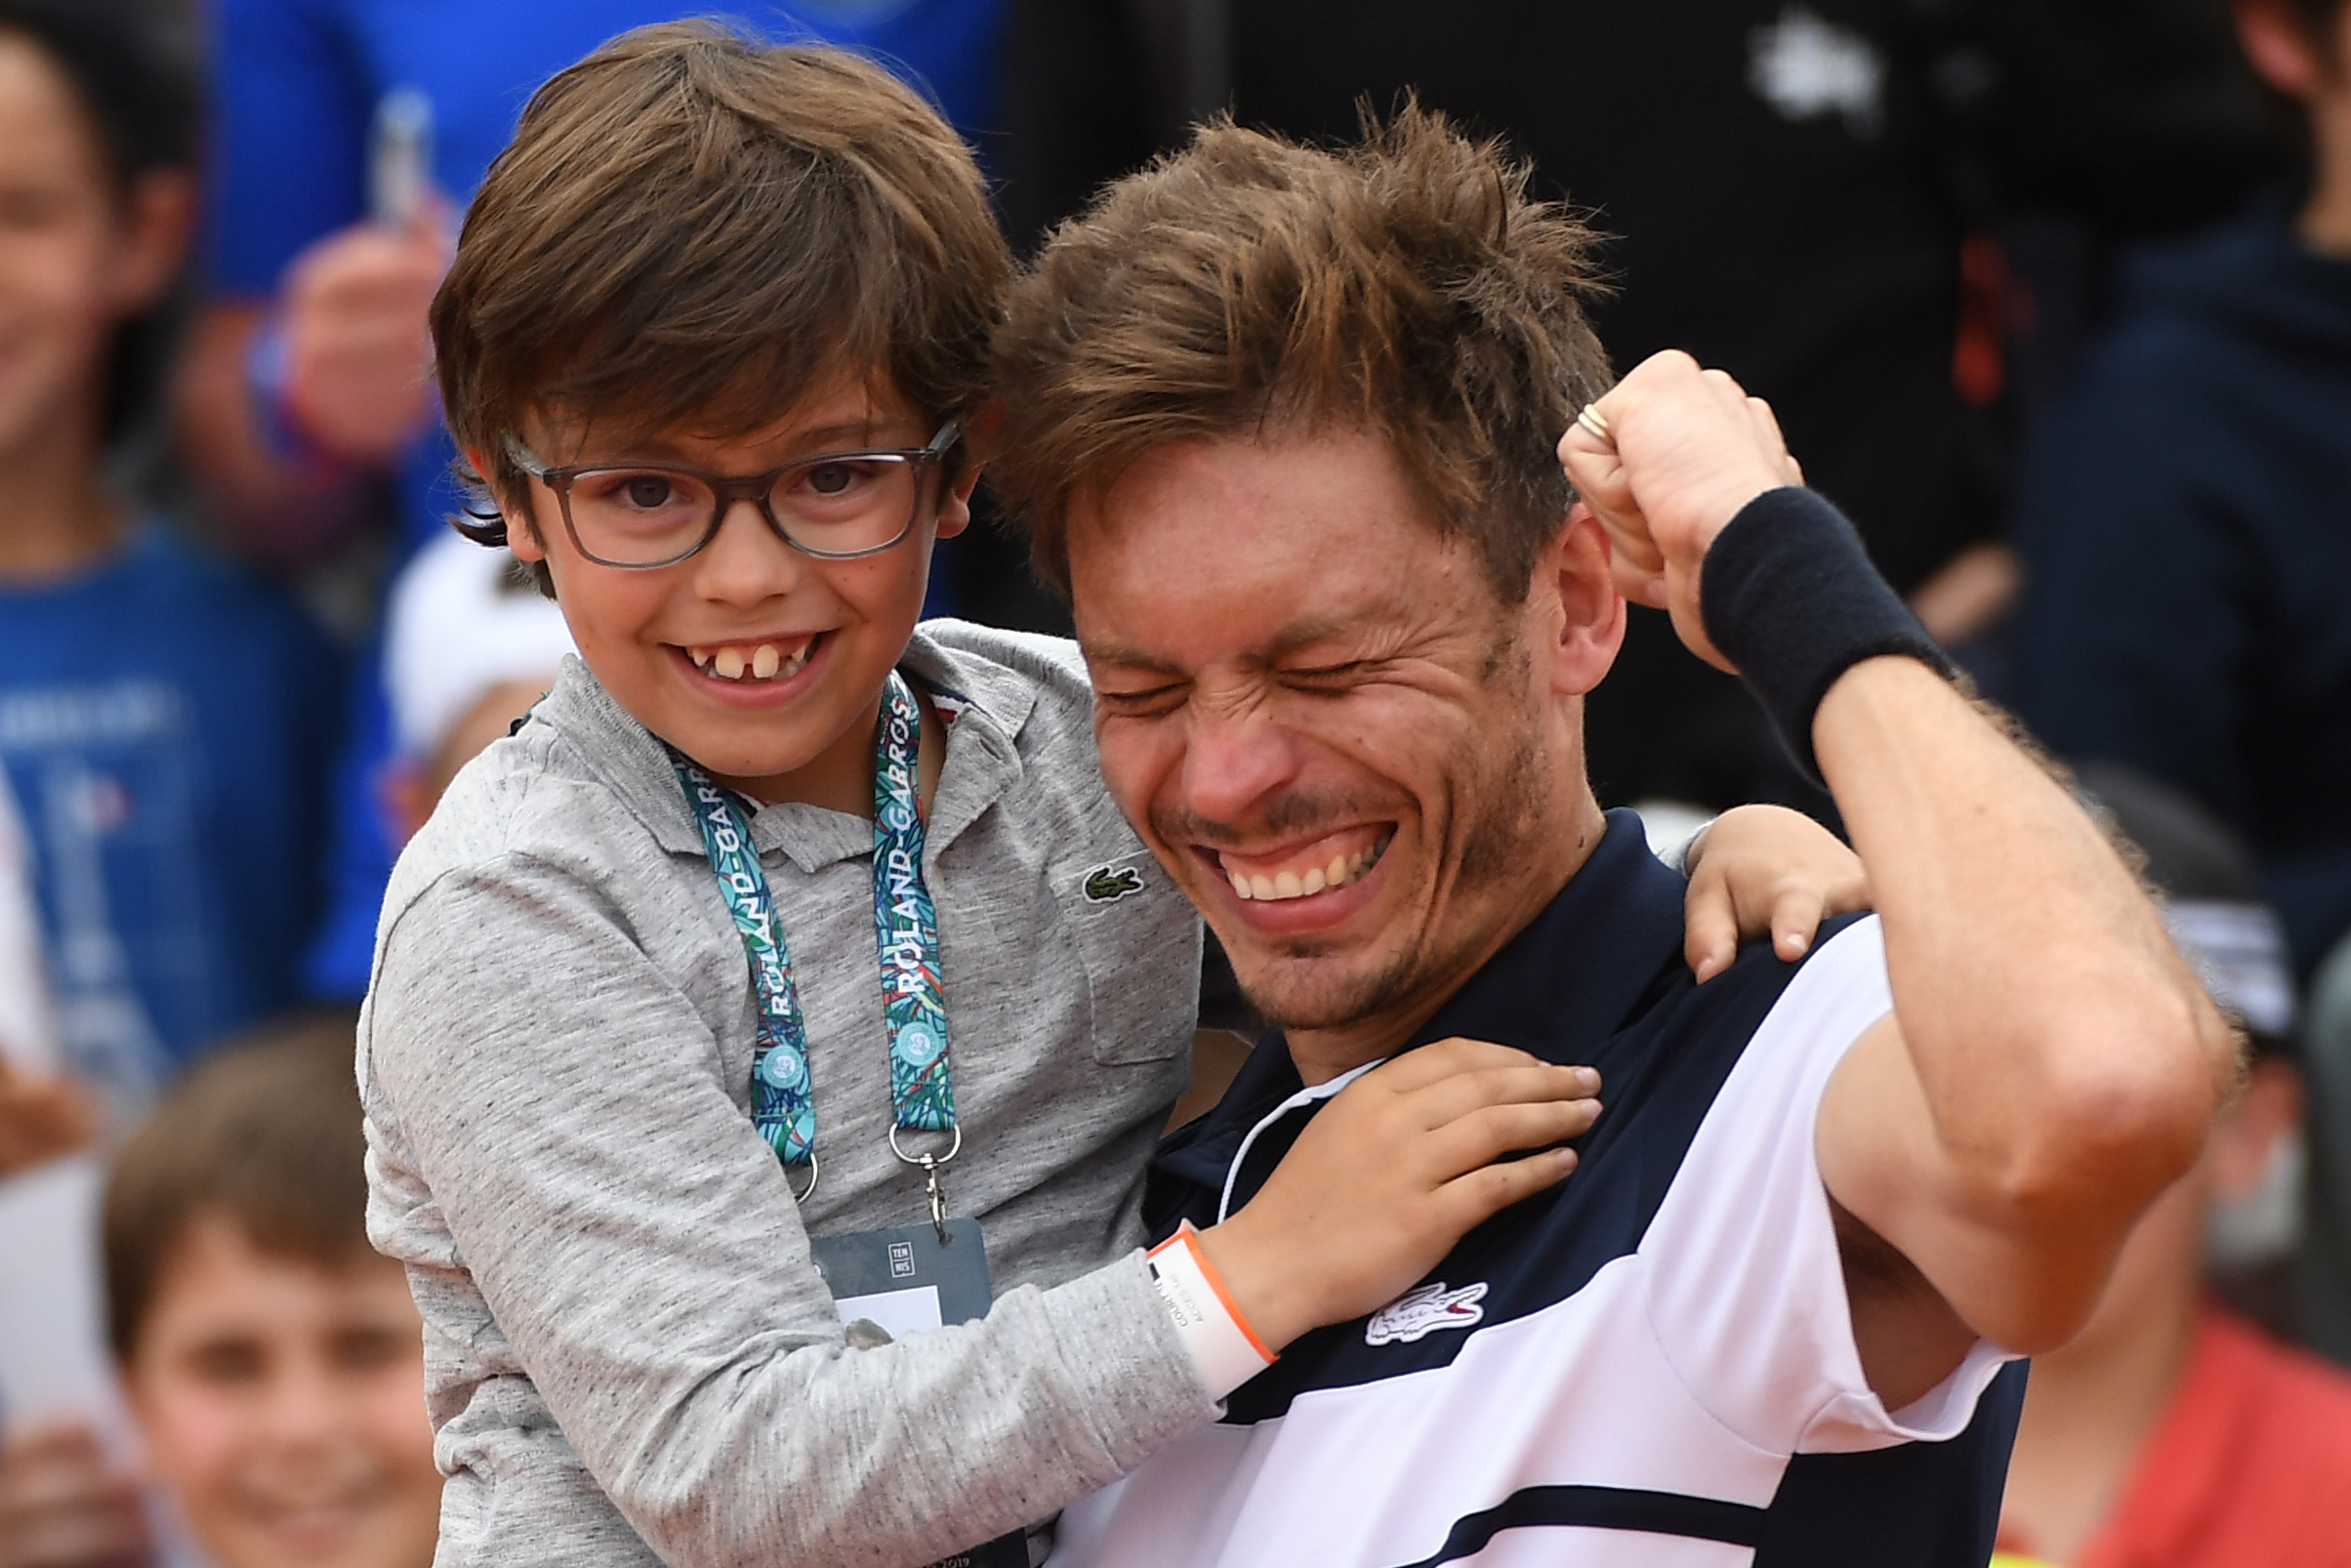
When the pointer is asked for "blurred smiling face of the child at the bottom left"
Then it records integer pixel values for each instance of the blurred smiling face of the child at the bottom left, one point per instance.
(283, 1405)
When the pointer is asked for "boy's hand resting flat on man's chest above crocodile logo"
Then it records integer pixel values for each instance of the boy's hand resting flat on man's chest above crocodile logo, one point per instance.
(1393, 1174)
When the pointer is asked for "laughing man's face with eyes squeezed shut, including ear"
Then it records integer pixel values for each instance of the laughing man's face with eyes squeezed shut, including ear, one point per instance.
(1322, 721)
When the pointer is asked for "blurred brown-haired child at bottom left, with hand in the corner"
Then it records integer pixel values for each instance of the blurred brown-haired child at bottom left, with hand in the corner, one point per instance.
(274, 1360)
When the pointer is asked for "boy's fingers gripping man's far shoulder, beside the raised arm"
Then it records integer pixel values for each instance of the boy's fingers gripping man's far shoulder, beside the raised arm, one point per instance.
(1764, 871)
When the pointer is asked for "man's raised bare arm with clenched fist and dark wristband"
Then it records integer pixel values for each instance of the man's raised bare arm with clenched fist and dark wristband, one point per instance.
(2051, 1066)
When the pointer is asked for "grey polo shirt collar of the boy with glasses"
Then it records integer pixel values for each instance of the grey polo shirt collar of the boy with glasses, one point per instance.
(984, 706)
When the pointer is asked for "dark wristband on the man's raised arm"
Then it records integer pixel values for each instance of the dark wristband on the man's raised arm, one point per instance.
(1793, 603)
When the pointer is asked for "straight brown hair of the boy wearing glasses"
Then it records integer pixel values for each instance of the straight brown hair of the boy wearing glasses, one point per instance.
(692, 227)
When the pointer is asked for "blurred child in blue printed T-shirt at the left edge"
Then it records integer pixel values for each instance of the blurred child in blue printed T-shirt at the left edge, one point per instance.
(163, 721)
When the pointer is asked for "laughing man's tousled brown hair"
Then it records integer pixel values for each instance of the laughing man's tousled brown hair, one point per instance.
(1254, 286)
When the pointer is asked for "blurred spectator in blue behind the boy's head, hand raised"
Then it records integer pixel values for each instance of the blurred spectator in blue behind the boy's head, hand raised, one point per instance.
(307, 370)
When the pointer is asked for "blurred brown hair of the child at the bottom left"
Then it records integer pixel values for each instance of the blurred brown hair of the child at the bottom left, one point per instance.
(264, 1132)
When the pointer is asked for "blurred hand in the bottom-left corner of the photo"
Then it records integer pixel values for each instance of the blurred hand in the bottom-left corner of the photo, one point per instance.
(65, 1506)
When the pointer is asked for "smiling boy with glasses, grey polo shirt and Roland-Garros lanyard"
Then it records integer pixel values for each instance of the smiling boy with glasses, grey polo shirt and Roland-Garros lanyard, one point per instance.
(711, 274)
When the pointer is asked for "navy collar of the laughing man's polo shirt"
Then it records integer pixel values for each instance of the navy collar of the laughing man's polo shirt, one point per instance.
(1565, 984)
